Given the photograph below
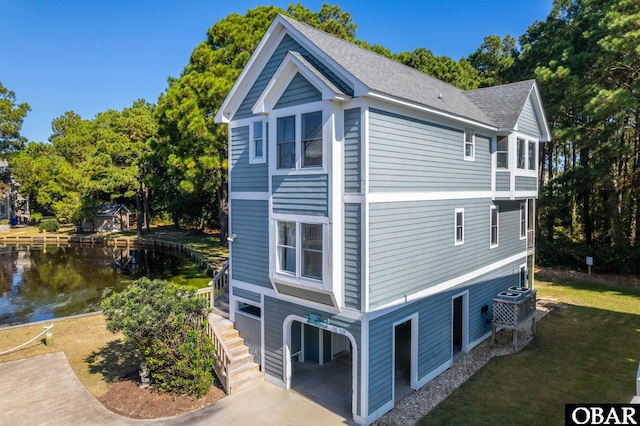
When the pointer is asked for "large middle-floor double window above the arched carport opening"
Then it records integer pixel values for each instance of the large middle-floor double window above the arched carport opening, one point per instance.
(300, 249)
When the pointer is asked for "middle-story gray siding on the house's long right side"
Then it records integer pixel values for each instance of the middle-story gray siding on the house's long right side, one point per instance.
(412, 244)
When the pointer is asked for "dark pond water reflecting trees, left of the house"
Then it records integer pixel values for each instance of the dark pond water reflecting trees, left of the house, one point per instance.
(40, 283)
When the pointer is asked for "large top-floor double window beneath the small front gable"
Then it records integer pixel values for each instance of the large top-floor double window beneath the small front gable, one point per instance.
(304, 140)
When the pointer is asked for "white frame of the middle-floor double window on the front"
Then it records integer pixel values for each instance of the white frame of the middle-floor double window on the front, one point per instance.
(298, 277)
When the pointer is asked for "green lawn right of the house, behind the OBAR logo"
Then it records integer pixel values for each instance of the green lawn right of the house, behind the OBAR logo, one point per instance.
(586, 351)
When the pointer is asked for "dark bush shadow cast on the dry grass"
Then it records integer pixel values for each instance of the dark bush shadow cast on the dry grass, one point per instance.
(116, 361)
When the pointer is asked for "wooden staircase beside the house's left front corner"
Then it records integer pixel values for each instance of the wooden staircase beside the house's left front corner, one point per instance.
(234, 365)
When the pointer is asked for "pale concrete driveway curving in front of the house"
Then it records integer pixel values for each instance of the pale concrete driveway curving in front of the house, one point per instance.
(44, 390)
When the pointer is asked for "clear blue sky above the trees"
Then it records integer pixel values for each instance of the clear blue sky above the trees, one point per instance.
(91, 56)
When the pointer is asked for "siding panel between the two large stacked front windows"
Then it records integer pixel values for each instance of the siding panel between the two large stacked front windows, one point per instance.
(301, 194)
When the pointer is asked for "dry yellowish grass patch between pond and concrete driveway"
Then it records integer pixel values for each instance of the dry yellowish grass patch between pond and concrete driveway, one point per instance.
(97, 356)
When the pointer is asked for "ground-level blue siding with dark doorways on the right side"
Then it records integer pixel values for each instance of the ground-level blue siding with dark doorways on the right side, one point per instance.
(434, 330)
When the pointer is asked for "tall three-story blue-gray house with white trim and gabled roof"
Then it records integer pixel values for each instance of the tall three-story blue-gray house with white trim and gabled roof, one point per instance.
(377, 212)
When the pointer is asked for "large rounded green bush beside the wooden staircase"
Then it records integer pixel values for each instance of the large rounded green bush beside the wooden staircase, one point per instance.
(167, 326)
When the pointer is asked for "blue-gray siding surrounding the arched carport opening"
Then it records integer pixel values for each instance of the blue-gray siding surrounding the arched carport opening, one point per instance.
(274, 313)
